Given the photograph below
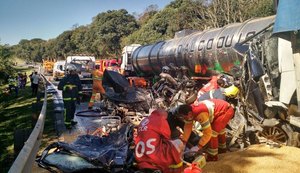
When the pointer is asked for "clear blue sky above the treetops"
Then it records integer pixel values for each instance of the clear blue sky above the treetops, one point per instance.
(46, 19)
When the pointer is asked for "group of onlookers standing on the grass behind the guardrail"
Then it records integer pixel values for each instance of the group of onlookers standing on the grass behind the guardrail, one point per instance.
(19, 81)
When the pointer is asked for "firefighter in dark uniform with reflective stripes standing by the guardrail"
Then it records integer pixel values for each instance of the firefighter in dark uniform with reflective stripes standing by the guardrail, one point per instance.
(71, 87)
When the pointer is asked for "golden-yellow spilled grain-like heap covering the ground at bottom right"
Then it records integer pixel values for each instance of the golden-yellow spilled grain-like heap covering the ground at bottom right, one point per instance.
(257, 159)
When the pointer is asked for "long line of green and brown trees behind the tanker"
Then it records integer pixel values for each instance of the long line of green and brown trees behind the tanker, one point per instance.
(114, 29)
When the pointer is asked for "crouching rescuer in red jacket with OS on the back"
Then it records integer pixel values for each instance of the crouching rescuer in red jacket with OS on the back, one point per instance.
(154, 150)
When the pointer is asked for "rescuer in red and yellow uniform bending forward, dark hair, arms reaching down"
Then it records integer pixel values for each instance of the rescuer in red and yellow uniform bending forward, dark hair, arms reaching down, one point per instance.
(213, 115)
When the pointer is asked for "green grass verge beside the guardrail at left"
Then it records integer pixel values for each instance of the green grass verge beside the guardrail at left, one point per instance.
(16, 113)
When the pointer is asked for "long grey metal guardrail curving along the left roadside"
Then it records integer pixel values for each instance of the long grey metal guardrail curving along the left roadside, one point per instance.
(26, 157)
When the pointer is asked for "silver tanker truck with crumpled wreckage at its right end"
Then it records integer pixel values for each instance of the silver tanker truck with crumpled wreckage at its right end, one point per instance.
(248, 52)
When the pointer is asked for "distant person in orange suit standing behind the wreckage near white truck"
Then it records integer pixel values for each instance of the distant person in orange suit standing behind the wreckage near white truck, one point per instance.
(97, 86)
